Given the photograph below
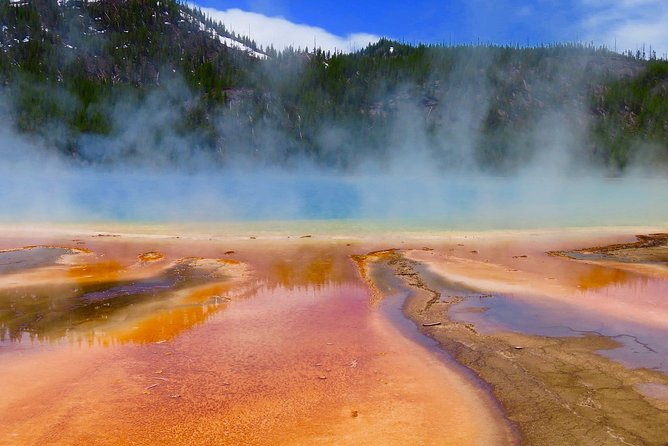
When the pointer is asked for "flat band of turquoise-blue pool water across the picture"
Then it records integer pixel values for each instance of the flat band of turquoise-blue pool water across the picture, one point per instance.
(471, 202)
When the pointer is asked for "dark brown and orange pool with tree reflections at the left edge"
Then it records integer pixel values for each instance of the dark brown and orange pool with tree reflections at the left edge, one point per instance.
(103, 302)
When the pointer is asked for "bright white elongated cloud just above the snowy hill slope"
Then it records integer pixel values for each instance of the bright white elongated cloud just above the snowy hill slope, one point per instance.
(282, 33)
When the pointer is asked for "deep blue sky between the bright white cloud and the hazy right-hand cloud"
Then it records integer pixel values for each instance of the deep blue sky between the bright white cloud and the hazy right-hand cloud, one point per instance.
(425, 20)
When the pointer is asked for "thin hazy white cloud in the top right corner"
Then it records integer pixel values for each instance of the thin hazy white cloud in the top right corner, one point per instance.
(629, 23)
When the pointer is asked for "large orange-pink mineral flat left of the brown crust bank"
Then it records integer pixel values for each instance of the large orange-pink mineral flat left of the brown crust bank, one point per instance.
(220, 342)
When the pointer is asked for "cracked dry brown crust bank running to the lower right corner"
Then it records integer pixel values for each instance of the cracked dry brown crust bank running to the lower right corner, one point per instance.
(557, 391)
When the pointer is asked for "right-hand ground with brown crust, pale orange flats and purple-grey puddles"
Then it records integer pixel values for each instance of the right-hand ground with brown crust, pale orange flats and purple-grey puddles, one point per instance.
(564, 346)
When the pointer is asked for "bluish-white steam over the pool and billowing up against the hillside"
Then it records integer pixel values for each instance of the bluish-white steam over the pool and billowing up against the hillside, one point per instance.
(421, 175)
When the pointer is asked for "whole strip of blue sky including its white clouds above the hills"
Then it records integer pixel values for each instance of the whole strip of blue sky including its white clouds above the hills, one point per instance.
(347, 25)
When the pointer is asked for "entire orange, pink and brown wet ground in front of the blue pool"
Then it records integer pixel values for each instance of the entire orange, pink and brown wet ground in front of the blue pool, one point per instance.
(175, 337)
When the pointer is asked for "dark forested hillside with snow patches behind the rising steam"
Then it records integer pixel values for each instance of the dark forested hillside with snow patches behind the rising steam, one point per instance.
(159, 84)
